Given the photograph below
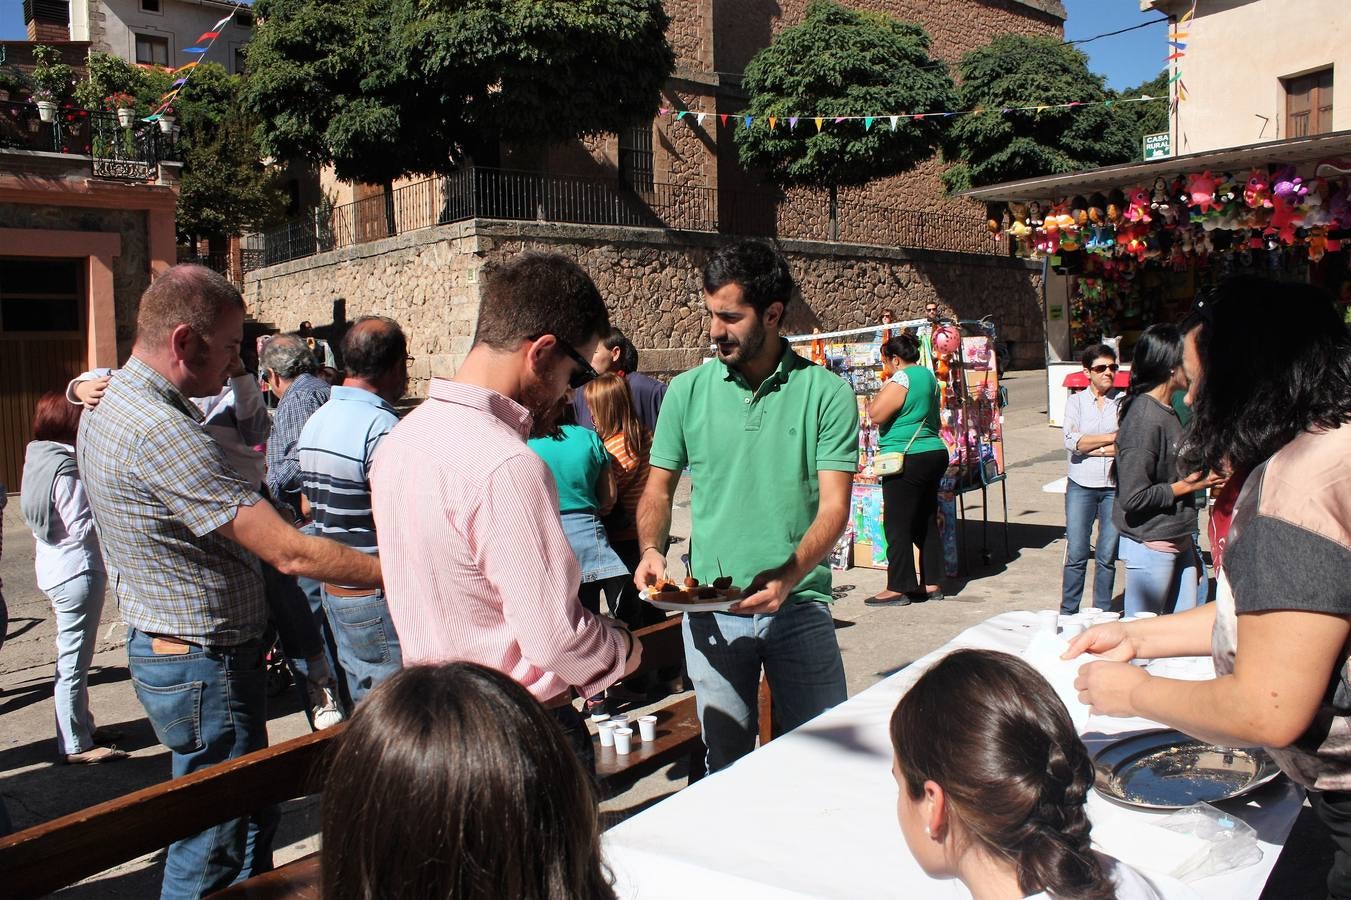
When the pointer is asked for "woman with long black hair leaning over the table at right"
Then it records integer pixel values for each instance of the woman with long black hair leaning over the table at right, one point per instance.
(1275, 410)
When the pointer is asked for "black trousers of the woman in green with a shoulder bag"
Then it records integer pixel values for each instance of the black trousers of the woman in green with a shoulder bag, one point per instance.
(910, 503)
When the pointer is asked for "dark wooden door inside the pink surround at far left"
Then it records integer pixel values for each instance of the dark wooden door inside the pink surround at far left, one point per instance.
(43, 345)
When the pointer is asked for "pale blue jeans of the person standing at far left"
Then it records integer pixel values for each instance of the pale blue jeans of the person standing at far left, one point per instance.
(78, 605)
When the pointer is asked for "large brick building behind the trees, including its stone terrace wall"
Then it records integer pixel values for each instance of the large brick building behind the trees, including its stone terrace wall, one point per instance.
(649, 205)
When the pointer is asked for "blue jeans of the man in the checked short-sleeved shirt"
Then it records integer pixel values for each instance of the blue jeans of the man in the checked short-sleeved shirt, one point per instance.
(207, 706)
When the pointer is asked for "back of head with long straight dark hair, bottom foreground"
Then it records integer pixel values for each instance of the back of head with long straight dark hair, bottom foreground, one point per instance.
(453, 782)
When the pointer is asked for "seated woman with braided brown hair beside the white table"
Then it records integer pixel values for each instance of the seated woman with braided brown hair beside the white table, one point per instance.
(996, 797)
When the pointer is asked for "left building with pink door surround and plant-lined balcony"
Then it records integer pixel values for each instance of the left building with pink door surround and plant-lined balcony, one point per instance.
(80, 239)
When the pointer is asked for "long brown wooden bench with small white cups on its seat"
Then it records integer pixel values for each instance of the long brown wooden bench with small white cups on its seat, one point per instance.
(63, 852)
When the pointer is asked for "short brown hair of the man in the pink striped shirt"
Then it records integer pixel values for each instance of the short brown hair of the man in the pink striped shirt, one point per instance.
(540, 294)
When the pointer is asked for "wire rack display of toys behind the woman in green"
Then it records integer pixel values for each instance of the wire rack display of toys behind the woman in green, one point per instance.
(972, 426)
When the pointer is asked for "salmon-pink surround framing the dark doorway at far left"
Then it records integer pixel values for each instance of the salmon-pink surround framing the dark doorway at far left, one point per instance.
(130, 271)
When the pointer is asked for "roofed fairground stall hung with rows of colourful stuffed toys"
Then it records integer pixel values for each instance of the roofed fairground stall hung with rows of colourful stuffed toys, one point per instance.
(1130, 245)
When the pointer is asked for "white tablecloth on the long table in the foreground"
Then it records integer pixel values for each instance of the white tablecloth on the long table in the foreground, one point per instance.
(814, 814)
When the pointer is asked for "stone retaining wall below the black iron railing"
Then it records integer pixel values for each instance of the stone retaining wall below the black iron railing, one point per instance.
(651, 278)
